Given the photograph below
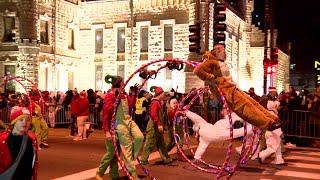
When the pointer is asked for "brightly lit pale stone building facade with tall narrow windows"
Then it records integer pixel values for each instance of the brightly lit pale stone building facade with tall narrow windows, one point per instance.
(66, 44)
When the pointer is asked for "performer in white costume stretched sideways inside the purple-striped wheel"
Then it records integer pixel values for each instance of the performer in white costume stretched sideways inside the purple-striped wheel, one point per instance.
(208, 133)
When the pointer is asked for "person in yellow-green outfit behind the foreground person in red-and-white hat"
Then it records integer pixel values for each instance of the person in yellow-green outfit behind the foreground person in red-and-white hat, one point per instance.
(39, 126)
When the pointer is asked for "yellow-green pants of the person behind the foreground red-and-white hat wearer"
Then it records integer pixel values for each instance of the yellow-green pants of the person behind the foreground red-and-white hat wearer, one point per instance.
(40, 129)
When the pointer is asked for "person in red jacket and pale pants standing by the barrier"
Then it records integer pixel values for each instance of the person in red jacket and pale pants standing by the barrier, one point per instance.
(80, 109)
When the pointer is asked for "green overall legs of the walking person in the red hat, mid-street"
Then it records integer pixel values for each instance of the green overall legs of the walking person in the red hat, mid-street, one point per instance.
(154, 139)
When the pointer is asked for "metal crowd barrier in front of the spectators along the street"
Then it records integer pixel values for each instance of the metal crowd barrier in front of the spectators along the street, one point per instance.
(296, 123)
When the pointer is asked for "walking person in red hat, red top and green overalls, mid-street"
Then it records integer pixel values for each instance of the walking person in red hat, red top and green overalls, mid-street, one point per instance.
(154, 135)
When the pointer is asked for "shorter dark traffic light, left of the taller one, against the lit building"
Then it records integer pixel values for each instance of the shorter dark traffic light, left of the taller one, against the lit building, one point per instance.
(194, 38)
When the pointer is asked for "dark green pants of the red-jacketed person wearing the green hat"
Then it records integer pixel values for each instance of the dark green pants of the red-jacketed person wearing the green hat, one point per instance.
(109, 159)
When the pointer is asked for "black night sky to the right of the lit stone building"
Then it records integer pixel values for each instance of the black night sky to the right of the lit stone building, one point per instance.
(298, 22)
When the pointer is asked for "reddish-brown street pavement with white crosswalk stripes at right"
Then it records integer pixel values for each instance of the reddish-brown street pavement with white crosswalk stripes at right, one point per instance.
(68, 159)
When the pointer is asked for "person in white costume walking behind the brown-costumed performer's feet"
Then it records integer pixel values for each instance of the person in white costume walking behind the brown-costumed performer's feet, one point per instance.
(273, 138)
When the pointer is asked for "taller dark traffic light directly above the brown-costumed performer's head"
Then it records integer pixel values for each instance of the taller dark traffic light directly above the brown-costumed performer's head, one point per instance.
(219, 25)
